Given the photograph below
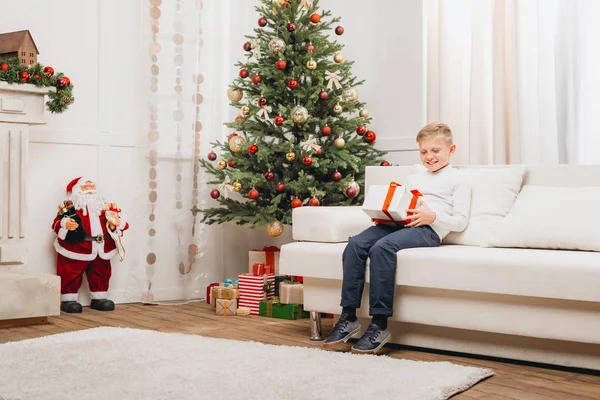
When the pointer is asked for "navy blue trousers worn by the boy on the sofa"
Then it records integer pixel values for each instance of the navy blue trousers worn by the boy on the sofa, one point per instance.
(379, 243)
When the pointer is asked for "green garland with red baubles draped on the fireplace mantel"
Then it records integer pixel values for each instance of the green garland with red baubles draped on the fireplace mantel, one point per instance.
(12, 71)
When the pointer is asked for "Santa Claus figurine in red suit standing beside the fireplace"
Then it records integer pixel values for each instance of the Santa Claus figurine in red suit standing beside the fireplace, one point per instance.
(89, 235)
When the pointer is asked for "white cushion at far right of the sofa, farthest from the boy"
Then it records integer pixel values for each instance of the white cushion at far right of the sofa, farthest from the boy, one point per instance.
(549, 217)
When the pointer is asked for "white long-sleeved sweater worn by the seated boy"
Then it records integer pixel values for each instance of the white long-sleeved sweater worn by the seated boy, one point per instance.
(448, 193)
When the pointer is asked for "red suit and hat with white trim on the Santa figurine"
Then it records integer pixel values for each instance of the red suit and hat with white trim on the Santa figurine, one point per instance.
(91, 255)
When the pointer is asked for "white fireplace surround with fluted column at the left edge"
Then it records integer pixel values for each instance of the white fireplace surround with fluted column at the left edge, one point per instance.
(25, 296)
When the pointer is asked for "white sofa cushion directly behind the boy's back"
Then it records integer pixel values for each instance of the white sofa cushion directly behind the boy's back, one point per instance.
(493, 193)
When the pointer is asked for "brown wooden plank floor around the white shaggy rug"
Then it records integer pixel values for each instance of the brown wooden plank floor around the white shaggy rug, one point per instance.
(510, 382)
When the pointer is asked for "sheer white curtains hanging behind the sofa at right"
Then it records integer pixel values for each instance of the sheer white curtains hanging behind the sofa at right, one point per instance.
(515, 79)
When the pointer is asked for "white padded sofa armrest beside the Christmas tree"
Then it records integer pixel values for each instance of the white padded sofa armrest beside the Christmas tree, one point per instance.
(328, 224)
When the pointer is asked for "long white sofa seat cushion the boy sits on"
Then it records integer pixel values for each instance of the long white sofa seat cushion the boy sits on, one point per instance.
(525, 272)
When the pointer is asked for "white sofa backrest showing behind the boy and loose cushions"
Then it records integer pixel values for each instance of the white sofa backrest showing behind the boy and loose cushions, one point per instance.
(543, 175)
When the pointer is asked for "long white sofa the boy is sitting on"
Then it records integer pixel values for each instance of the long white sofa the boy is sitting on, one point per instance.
(530, 304)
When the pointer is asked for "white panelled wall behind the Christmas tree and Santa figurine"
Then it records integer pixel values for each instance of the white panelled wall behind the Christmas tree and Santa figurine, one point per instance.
(98, 135)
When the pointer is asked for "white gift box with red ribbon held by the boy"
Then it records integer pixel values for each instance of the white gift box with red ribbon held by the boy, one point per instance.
(385, 204)
